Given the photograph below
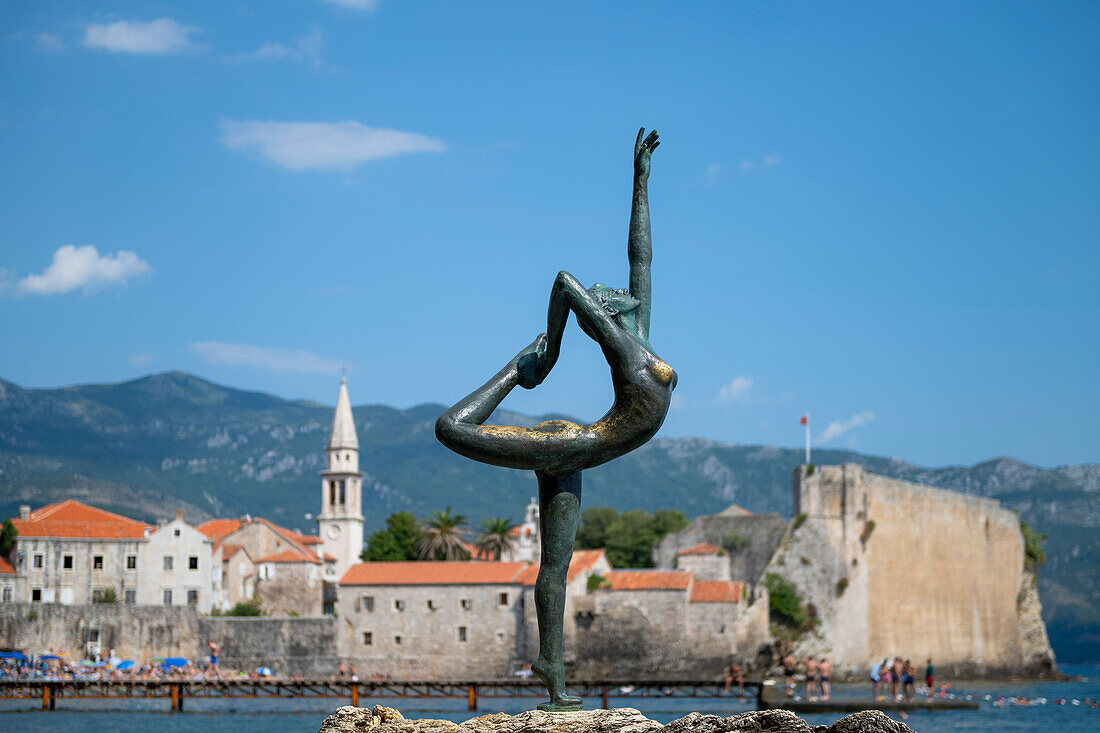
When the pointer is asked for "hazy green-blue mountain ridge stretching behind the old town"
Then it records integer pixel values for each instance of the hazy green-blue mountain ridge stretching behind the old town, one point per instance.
(167, 441)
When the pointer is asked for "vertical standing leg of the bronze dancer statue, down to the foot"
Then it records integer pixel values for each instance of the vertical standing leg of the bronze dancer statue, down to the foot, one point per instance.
(559, 515)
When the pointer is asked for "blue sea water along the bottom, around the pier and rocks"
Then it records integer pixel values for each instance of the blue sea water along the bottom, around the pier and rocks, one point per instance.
(306, 716)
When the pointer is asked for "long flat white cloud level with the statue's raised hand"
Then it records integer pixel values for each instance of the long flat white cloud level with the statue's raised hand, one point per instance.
(322, 146)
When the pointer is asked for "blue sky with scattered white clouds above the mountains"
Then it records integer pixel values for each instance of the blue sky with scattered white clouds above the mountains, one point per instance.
(884, 215)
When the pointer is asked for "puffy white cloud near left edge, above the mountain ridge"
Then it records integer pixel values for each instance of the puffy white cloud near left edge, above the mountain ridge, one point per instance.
(83, 267)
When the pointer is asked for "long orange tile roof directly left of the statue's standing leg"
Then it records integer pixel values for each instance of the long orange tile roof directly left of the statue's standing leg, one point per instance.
(459, 573)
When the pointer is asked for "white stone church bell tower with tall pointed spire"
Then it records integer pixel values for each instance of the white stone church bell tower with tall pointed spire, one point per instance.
(342, 519)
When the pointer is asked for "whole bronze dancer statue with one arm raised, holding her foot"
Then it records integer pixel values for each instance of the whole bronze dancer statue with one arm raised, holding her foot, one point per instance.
(559, 451)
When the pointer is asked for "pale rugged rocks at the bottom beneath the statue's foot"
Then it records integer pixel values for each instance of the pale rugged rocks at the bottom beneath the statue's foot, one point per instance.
(621, 720)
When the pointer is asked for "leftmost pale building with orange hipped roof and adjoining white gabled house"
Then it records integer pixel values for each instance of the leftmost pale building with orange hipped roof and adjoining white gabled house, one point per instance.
(74, 554)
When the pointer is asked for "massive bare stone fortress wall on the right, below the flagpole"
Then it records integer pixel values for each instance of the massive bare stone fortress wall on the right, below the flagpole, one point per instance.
(896, 568)
